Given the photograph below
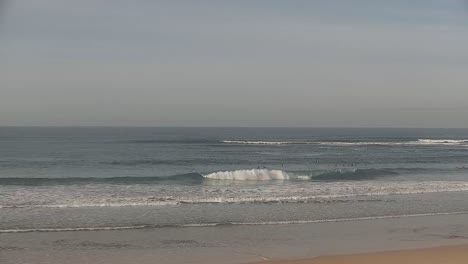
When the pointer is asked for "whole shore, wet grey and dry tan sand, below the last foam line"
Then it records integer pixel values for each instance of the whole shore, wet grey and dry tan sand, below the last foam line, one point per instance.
(251, 243)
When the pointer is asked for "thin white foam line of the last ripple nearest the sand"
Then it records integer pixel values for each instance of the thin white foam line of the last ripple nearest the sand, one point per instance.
(194, 225)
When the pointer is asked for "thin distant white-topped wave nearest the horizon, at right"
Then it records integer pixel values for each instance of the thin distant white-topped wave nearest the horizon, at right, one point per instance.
(453, 142)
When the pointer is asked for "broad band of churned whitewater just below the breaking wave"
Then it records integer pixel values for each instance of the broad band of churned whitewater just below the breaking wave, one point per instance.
(293, 192)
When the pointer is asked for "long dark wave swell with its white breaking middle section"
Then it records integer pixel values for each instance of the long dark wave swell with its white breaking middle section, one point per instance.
(343, 174)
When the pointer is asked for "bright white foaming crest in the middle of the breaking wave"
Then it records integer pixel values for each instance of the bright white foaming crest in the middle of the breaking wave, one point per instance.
(249, 175)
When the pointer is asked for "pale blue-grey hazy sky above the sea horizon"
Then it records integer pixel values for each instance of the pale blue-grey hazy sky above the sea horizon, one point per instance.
(253, 63)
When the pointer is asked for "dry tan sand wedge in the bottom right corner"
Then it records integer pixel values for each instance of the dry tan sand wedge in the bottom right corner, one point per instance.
(438, 255)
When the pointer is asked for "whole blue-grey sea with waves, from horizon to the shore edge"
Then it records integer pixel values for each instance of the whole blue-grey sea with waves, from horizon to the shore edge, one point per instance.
(90, 178)
